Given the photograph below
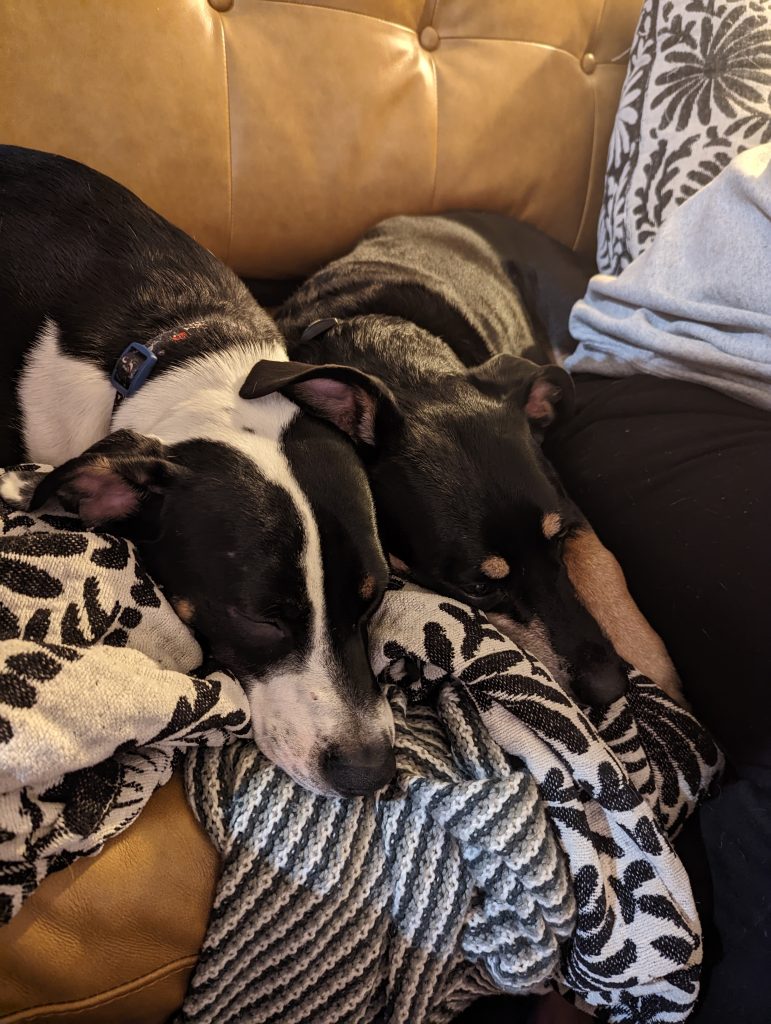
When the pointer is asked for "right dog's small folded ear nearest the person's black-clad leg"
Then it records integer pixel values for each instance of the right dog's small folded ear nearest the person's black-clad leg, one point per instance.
(543, 393)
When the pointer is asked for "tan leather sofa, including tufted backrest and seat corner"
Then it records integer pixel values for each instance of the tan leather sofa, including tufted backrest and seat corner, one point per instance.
(276, 132)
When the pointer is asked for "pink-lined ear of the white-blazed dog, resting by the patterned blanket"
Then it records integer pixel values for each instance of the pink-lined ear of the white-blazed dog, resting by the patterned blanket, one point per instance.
(108, 483)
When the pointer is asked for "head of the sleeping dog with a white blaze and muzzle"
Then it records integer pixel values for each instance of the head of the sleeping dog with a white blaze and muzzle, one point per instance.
(270, 552)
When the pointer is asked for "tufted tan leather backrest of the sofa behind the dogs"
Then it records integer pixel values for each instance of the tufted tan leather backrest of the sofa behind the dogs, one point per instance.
(276, 132)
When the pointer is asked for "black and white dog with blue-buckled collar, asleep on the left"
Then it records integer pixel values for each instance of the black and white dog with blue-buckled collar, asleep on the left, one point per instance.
(255, 519)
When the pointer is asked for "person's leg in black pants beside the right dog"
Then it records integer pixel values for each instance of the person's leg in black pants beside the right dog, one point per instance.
(676, 480)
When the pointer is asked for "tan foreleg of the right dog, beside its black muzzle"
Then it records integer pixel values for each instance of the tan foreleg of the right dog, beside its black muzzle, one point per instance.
(599, 582)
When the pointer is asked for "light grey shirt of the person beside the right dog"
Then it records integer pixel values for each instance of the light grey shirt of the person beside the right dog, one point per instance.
(696, 306)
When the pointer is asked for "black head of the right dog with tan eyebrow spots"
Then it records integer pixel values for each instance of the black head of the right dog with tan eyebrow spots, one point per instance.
(469, 506)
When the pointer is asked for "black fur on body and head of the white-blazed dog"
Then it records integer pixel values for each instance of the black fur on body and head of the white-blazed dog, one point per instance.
(224, 541)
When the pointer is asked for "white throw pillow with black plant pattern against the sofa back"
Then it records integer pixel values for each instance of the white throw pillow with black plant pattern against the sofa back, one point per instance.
(698, 94)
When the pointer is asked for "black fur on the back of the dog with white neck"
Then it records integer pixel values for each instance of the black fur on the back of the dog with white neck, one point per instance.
(82, 250)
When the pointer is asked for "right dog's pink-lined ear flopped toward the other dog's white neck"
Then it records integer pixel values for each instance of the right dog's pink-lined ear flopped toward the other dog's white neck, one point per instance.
(352, 400)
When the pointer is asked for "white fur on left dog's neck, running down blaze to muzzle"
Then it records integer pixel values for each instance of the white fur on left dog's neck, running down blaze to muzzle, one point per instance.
(298, 712)
